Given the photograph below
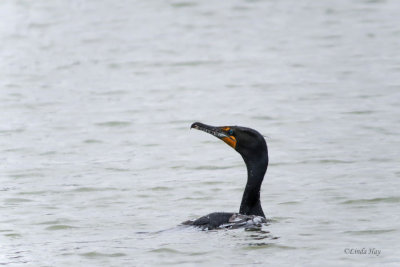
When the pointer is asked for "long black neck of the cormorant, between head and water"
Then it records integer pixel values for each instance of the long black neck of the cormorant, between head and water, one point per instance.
(256, 168)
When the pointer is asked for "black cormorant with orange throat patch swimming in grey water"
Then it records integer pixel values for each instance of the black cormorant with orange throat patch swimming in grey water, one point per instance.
(251, 145)
